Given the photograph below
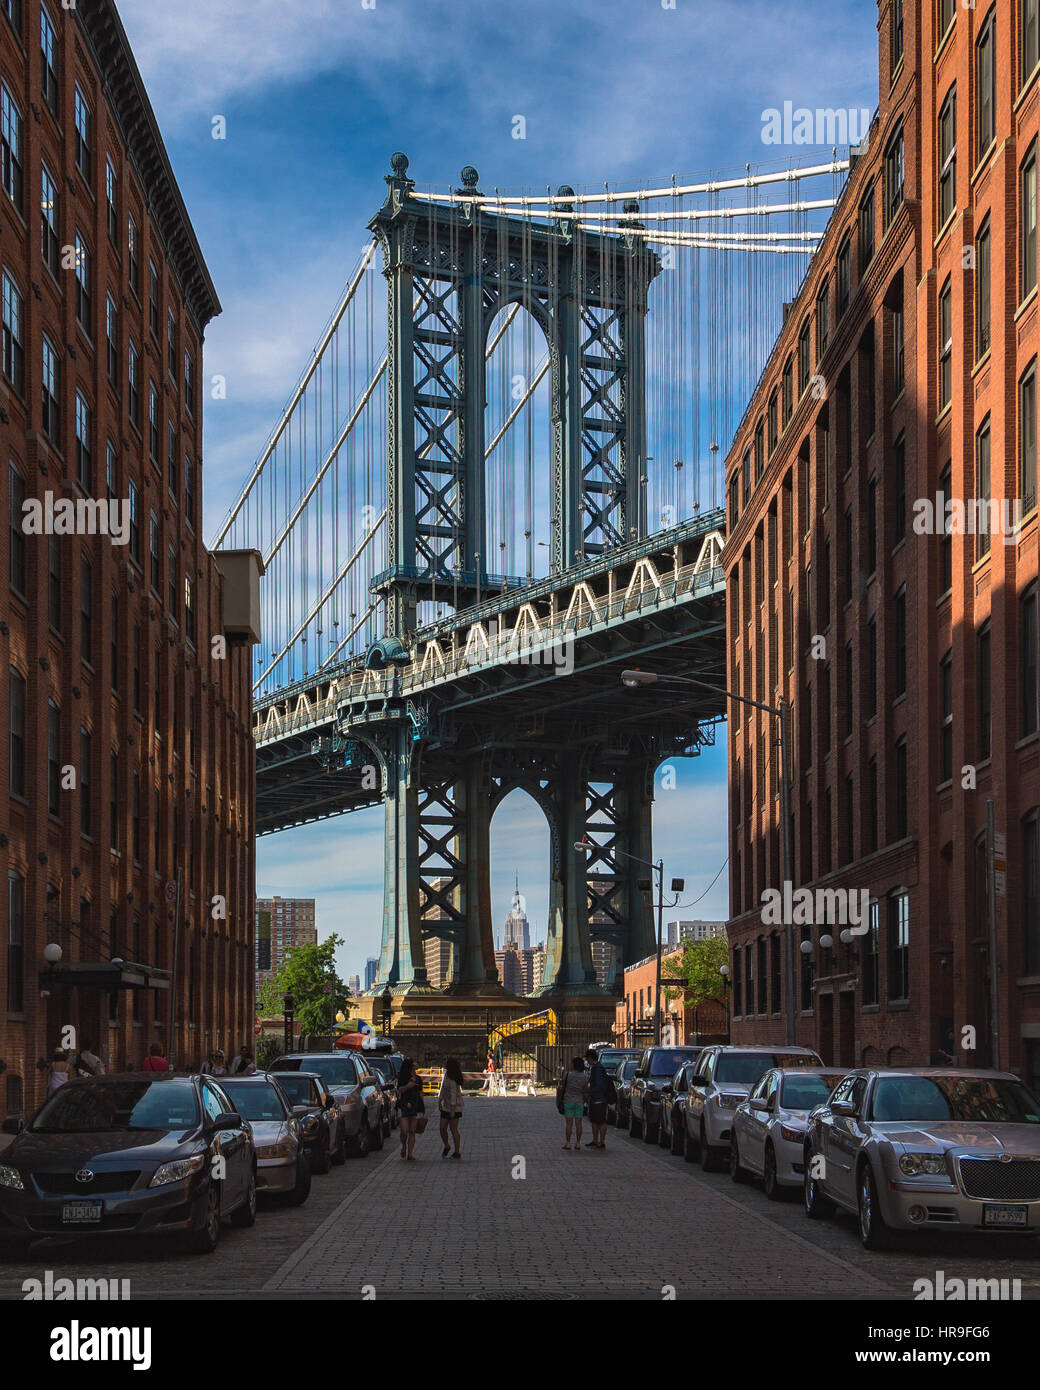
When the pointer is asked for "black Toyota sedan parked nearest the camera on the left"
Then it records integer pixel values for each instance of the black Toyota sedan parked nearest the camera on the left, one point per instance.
(130, 1156)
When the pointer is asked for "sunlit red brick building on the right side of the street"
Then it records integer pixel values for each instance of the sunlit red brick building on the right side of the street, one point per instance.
(907, 650)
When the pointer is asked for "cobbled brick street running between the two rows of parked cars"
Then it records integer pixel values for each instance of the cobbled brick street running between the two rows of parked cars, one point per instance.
(625, 1223)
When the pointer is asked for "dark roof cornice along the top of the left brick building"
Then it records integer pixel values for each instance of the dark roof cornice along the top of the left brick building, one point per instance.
(106, 40)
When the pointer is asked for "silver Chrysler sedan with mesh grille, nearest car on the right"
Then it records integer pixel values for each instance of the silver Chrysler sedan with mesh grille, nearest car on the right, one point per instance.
(916, 1149)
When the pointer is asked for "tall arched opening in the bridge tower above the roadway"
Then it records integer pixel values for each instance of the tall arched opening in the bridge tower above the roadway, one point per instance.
(518, 441)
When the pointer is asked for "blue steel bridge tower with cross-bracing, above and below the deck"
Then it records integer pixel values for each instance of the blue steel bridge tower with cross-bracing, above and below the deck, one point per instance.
(451, 269)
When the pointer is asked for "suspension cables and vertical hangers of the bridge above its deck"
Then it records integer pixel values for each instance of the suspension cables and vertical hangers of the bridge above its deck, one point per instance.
(315, 502)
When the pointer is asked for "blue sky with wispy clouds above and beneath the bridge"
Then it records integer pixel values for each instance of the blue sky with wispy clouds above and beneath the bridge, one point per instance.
(316, 95)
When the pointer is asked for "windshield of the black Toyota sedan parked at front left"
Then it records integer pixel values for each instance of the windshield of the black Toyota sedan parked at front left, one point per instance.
(91, 1109)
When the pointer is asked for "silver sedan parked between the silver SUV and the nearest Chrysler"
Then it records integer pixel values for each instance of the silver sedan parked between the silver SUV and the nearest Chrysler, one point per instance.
(770, 1127)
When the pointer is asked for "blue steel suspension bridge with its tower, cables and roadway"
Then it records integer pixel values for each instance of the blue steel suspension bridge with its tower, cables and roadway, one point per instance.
(498, 484)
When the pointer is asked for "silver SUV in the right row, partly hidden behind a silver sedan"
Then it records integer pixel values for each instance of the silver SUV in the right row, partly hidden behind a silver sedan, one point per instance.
(726, 1077)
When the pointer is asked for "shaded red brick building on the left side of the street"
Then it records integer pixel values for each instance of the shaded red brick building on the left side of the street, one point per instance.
(127, 776)
